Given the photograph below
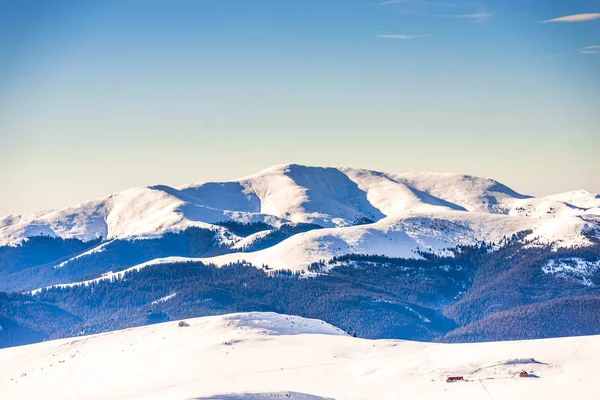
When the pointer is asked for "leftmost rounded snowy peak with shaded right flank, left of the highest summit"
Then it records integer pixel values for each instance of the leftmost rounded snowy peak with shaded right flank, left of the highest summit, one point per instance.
(134, 213)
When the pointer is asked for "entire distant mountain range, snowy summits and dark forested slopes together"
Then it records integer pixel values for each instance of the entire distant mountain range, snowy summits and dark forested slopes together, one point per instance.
(422, 256)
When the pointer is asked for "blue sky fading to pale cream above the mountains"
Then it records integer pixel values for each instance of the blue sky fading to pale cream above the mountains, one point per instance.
(101, 96)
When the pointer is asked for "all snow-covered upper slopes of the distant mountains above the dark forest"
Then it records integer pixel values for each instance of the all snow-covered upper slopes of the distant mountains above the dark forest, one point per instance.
(362, 211)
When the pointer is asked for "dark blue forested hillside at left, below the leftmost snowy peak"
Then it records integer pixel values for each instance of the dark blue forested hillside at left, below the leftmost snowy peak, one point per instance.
(38, 262)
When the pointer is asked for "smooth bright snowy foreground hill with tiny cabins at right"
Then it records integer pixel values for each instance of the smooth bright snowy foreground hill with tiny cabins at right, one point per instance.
(274, 356)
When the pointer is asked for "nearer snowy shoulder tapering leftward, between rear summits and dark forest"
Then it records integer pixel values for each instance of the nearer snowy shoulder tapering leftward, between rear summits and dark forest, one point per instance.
(404, 237)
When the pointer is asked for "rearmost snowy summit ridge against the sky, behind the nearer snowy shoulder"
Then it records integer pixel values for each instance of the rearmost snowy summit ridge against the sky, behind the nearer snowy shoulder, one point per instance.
(331, 197)
